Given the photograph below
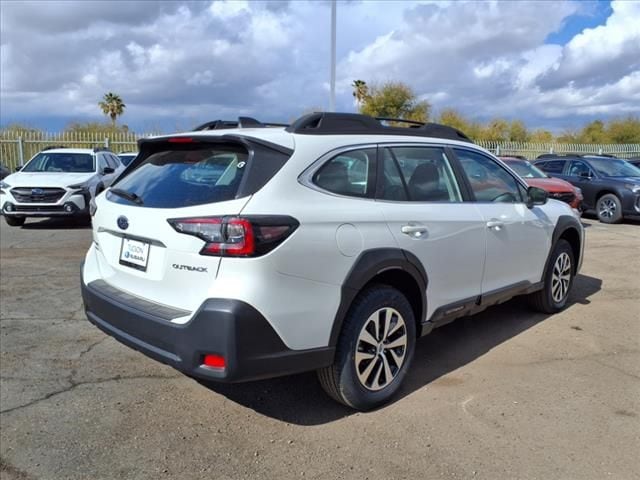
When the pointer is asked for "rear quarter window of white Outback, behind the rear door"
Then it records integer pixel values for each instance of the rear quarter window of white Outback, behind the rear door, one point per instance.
(349, 173)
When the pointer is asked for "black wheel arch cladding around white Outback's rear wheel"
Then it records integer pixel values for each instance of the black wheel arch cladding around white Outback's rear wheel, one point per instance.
(390, 266)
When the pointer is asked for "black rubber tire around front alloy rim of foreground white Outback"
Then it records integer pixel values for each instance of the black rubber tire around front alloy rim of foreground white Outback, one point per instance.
(543, 300)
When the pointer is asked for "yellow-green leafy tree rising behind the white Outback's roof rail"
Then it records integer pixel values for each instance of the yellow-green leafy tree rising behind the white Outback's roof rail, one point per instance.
(394, 100)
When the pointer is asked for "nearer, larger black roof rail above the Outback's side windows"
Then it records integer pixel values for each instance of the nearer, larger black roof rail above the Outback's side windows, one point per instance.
(330, 123)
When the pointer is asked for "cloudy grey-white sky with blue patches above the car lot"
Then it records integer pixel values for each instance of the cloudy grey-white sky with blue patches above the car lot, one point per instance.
(176, 63)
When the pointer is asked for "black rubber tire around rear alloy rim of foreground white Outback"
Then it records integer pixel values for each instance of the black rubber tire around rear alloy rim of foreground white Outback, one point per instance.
(341, 380)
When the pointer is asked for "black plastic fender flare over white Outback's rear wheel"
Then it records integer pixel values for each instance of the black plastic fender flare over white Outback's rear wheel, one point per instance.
(369, 264)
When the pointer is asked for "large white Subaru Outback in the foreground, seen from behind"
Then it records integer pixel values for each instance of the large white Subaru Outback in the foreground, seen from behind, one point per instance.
(333, 244)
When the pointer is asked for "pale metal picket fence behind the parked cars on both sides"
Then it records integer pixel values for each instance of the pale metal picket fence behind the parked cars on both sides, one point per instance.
(17, 147)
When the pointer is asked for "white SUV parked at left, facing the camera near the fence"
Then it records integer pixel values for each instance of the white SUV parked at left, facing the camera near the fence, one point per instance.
(57, 182)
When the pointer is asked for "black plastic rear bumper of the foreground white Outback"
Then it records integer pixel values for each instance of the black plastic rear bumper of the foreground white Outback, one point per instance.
(229, 328)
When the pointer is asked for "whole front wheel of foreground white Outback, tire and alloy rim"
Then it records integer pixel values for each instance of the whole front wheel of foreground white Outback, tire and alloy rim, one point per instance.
(557, 282)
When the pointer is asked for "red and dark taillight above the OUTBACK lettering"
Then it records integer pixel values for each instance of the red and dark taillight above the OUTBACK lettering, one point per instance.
(237, 236)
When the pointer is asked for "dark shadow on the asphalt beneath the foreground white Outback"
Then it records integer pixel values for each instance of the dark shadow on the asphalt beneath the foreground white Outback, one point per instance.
(300, 400)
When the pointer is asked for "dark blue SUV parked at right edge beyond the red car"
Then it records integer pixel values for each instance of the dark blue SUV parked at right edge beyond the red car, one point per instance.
(611, 186)
